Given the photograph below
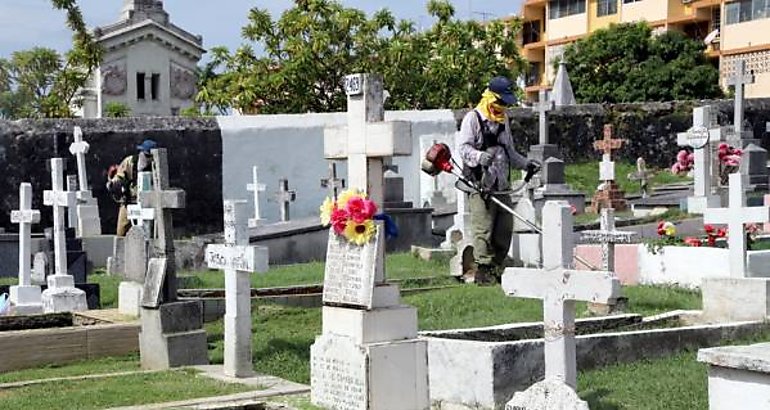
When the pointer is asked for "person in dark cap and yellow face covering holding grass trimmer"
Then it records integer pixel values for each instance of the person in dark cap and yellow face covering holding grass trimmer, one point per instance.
(487, 152)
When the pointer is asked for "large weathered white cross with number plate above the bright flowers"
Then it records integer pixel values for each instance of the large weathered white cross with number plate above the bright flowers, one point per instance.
(367, 139)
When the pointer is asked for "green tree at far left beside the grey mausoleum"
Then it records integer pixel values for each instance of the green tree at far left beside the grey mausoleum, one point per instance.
(40, 82)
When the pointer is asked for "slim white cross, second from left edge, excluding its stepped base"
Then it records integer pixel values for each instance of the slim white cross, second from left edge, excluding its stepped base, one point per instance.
(59, 199)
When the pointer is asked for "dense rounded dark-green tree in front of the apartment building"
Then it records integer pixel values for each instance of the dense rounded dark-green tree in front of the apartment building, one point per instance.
(627, 63)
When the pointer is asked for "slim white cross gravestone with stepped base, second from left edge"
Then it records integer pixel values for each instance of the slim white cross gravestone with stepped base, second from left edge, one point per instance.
(61, 295)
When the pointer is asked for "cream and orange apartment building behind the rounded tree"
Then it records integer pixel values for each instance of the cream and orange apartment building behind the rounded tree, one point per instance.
(735, 30)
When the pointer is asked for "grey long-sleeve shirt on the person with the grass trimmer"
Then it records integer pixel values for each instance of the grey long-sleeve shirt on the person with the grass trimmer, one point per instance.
(504, 155)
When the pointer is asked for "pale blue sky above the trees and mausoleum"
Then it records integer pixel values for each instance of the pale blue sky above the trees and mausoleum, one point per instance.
(28, 23)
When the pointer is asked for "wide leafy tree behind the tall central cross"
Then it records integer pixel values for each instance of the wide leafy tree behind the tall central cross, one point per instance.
(308, 51)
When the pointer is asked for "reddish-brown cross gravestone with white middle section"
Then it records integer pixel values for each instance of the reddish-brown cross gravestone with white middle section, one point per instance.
(609, 194)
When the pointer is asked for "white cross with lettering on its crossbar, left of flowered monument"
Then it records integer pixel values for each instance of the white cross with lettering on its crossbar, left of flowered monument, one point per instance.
(238, 259)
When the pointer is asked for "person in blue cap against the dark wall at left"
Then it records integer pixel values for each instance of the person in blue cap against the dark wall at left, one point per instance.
(122, 180)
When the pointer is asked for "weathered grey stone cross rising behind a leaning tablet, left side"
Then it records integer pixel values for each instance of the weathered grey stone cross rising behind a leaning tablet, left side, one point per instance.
(164, 200)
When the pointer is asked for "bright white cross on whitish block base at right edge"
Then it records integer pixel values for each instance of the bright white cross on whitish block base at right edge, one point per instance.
(738, 296)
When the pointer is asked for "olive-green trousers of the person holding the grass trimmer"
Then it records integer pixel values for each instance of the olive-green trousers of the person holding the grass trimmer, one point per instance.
(492, 228)
